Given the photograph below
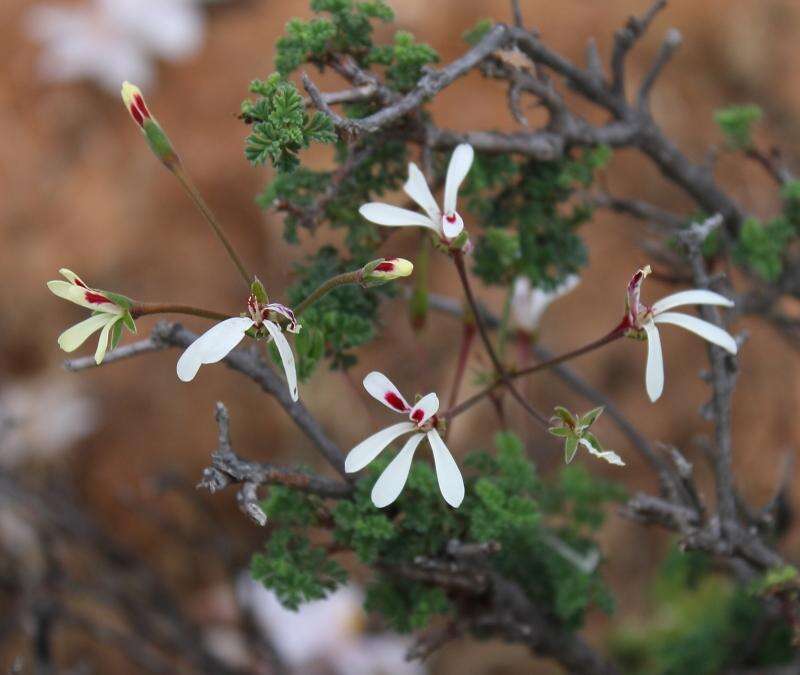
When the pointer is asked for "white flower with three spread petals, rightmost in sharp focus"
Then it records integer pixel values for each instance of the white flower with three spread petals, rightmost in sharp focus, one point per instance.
(641, 321)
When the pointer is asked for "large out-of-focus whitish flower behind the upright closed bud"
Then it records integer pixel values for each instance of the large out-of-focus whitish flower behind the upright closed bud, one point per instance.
(108, 41)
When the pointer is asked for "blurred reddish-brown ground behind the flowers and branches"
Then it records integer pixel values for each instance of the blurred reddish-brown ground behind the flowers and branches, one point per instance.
(126, 443)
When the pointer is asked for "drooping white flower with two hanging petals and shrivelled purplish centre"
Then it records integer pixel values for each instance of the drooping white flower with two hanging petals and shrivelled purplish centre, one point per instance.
(217, 342)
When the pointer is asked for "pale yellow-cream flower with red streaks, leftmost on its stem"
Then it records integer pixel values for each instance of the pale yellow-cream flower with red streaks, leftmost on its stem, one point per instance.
(110, 313)
